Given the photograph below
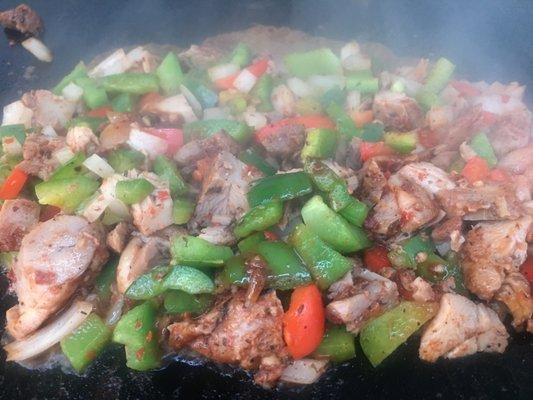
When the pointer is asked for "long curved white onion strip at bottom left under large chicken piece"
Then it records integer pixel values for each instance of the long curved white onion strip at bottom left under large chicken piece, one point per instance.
(51, 334)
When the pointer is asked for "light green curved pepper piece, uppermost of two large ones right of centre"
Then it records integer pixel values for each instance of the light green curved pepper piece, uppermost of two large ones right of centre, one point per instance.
(332, 228)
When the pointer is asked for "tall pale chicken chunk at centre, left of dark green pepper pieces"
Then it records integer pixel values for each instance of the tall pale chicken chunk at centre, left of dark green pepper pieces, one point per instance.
(222, 200)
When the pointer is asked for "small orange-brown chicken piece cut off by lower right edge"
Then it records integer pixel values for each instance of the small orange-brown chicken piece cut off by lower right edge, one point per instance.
(515, 293)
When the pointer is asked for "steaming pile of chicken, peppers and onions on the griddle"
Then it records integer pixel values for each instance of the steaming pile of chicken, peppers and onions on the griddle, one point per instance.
(265, 211)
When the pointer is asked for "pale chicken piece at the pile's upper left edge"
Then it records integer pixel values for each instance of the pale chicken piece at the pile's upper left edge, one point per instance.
(48, 109)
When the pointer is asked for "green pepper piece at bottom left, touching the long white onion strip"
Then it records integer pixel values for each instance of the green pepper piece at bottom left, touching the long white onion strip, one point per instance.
(86, 342)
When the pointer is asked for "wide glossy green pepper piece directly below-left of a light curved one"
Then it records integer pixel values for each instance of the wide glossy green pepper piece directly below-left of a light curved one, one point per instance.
(325, 264)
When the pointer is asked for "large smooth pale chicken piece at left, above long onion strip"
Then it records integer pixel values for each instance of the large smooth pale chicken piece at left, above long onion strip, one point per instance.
(54, 259)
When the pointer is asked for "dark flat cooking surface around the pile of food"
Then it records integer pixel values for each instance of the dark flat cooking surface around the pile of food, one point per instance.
(490, 40)
